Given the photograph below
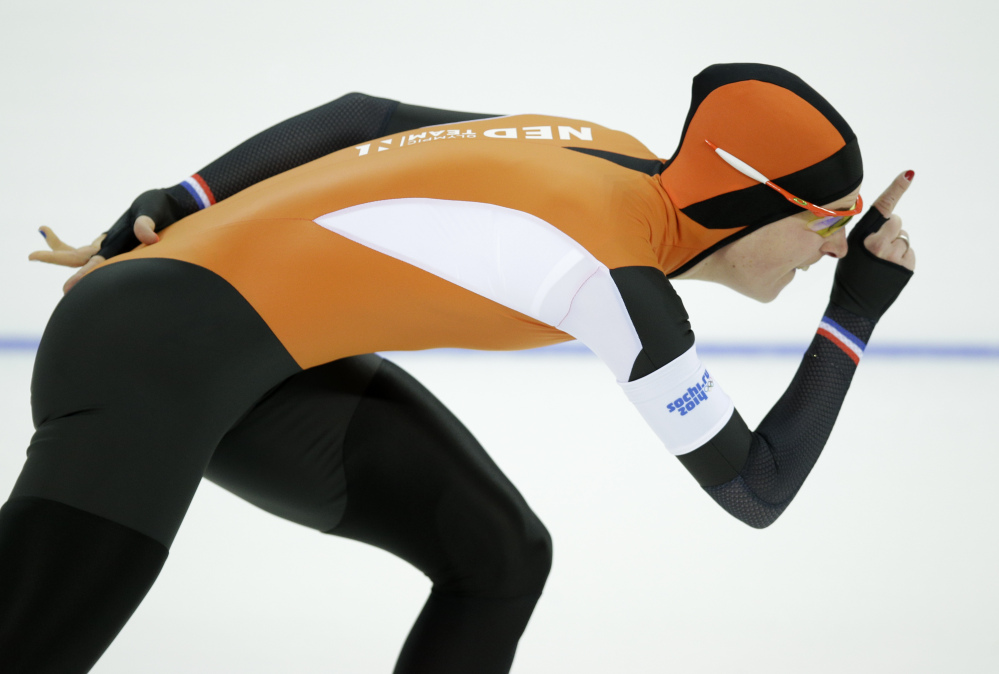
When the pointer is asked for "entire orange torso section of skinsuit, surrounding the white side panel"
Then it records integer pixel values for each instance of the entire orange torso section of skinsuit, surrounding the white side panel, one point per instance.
(327, 297)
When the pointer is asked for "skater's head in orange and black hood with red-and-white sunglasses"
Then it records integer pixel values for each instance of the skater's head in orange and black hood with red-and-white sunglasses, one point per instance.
(748, 123)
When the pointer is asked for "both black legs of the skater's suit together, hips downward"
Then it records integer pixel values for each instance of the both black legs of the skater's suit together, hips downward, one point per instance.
(356, 445)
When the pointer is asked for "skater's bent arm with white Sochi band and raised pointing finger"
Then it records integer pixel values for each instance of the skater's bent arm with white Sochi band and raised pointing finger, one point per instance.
(754, 475)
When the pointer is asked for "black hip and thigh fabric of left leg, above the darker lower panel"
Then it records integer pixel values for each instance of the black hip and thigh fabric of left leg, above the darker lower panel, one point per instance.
(186, 356)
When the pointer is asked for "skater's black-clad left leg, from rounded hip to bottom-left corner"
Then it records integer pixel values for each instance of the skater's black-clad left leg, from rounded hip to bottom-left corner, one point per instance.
(142, 369)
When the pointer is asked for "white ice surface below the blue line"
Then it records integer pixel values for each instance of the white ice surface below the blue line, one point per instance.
(886, 561)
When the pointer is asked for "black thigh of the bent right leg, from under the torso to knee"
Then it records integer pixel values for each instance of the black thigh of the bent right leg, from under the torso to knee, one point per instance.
(358, 448)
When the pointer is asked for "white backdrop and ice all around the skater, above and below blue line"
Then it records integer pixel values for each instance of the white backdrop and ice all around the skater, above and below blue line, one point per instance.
(887, 560)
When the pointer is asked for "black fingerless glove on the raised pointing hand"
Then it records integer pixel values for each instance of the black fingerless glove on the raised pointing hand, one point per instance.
(865, 284)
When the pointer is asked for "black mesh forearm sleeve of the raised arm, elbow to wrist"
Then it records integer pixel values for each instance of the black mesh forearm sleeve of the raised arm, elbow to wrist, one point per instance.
(791, 437)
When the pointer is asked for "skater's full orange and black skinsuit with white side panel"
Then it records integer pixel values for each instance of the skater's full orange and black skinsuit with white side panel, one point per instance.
(369, 225)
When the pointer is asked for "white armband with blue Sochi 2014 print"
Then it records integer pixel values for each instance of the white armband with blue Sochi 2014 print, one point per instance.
(682, 403)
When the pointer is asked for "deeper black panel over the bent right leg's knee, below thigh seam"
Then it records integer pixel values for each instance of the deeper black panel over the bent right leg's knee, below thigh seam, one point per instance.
(421, 487)
